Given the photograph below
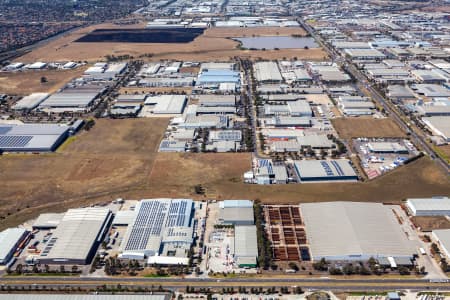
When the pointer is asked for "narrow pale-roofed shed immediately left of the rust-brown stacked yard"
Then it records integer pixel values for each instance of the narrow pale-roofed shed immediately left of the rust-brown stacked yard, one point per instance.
(245, 246)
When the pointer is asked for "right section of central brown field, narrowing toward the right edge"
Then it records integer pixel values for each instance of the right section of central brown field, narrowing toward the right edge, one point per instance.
(220, 176)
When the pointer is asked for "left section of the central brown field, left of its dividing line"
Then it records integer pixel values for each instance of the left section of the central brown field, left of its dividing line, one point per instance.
(114, 157)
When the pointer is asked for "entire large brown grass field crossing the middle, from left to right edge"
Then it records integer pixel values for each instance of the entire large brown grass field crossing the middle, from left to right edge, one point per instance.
(118, 158)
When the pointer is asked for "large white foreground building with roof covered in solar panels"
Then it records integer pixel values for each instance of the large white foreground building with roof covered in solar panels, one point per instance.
(161, 227)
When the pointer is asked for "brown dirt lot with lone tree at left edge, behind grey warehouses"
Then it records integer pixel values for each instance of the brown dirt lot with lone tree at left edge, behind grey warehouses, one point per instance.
(24, 83)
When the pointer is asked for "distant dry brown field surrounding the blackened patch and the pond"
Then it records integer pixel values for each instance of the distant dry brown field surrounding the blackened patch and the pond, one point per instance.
(211, 46)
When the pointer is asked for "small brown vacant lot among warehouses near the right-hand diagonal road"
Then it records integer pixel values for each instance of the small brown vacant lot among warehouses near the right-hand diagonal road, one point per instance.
(366, 127)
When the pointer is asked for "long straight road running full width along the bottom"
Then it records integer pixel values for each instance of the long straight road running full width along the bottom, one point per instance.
(181, 283)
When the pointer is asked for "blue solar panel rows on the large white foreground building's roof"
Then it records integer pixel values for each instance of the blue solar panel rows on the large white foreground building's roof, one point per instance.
(154, 216)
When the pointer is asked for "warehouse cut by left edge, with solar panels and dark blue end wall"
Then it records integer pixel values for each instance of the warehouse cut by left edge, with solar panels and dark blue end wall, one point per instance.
(32, 137)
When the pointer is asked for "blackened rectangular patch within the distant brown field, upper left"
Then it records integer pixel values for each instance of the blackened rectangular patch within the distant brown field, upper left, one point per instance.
(157, 35)
